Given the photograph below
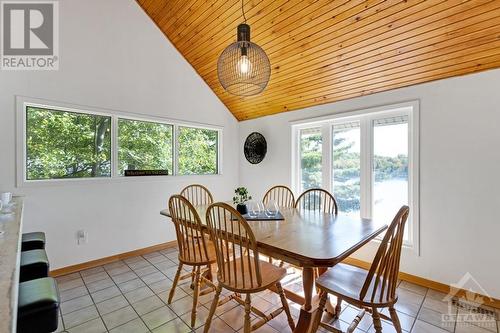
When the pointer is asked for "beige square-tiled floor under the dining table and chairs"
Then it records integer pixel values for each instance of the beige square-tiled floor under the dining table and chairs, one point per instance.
(131, 296)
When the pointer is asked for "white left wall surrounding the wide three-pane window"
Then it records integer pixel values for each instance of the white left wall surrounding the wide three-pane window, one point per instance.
(112, 57)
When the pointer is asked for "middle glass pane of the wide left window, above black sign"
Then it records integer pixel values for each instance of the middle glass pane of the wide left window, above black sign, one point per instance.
(144, 145)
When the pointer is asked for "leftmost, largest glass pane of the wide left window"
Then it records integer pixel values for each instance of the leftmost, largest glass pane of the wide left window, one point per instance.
(62, 144)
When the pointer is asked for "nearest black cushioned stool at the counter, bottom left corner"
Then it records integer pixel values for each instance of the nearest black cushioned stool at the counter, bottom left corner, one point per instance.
(38, 306)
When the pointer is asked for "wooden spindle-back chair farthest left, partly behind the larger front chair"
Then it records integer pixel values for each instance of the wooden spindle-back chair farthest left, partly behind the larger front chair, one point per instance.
(194, 249)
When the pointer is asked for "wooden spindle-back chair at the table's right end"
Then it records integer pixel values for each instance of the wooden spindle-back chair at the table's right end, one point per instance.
(368, 290)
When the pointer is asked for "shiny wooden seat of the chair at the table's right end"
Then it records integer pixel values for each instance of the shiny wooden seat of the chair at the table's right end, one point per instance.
(346, 281)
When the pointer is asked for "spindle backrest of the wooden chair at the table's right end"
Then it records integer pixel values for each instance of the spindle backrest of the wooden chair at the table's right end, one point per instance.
(383, 274)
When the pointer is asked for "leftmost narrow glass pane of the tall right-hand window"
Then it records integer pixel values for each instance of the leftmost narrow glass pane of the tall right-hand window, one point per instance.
(310, 158)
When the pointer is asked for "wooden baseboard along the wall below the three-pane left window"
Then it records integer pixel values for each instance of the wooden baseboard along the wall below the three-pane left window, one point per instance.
(107, 260)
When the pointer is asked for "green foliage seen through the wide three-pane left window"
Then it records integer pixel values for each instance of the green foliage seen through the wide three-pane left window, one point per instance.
(62, 144)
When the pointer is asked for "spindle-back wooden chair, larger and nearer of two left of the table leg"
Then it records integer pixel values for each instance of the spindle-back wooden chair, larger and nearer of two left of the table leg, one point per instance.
(239, 268)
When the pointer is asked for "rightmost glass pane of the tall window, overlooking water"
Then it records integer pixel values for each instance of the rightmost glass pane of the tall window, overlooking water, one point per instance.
(390, 167)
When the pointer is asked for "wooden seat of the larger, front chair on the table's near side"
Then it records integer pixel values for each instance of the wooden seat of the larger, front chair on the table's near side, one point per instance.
(270, 275)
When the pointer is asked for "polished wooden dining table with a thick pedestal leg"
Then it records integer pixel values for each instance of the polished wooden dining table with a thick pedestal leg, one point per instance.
(311, 240)
